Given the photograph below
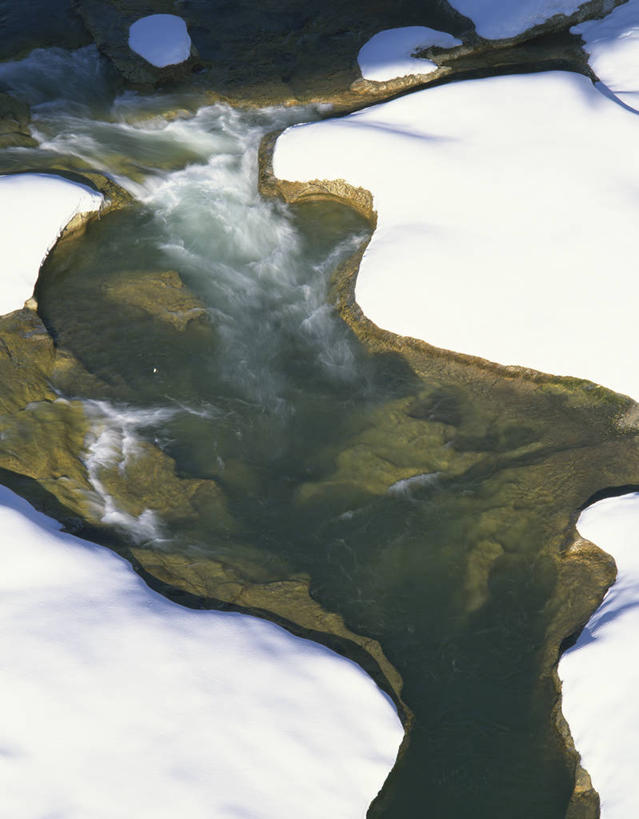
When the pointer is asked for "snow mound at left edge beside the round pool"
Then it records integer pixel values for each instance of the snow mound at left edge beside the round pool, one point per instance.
(34, 210)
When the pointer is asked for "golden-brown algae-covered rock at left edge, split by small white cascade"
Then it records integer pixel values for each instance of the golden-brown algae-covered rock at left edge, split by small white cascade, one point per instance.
(46, 437)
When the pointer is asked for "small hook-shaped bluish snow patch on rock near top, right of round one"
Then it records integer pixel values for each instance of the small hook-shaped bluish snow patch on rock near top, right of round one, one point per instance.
(388, 54)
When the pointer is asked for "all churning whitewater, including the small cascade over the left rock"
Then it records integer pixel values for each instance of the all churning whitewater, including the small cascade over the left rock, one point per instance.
(194, 177)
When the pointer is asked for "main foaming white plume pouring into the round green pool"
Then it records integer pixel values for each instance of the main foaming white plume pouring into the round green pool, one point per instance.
(249, 260)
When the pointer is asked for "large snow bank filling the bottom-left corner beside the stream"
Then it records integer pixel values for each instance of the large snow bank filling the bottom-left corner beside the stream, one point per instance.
(118, 703)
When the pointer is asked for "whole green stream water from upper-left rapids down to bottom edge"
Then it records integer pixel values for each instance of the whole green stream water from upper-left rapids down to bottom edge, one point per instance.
(314, 440)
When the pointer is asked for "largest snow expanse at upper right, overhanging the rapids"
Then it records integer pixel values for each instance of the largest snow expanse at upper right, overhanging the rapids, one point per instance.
(506, 224)
